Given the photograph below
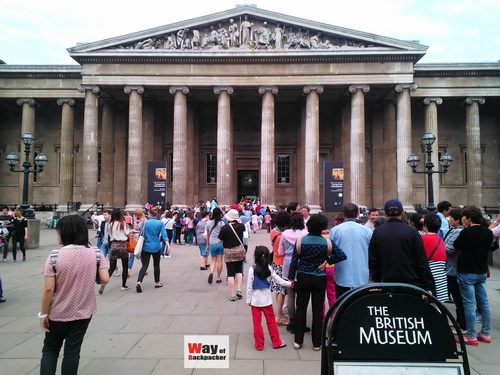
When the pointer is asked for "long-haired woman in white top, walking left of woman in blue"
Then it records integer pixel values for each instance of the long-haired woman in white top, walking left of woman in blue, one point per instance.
(118, 235)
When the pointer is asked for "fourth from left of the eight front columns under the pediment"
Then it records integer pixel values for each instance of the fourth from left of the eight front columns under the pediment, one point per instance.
(225, 174)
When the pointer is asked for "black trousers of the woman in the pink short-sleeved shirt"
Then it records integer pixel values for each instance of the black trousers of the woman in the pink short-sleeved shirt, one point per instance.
(70, 332)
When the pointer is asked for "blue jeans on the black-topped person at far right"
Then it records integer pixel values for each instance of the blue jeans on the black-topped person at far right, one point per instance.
(473, 289)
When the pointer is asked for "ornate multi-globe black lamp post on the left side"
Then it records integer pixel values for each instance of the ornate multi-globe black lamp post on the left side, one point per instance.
(40, 162)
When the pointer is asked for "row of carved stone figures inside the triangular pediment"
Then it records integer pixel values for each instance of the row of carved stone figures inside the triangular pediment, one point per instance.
(245, 34)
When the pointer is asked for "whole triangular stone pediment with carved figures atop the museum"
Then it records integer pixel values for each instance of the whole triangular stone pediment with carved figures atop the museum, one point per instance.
(246, 31)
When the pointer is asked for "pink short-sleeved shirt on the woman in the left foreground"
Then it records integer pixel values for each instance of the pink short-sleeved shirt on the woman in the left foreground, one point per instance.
(74, 296)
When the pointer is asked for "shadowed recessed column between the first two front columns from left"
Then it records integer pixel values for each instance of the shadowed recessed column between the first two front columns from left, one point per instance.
(107, 155)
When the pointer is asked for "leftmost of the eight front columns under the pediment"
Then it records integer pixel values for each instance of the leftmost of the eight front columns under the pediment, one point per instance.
(90, 146)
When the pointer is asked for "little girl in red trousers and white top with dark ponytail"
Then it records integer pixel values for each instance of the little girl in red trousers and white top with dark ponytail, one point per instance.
(259, 297)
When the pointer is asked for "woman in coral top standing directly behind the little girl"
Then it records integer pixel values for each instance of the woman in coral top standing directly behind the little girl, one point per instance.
(282, 221)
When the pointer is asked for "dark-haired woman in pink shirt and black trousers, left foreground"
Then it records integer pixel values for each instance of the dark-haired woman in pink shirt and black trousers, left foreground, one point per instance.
(68, 299)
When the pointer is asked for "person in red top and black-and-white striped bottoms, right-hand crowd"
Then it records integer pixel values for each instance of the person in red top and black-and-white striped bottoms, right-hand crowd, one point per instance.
(435, 251)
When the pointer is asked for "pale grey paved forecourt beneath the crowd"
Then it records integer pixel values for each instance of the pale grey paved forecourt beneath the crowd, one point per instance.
(144, 333)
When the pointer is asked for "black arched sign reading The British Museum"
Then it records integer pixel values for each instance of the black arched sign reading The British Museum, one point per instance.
(389, 329)
